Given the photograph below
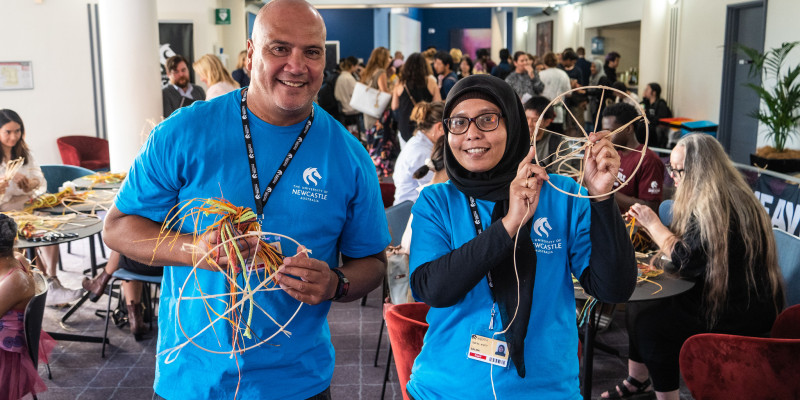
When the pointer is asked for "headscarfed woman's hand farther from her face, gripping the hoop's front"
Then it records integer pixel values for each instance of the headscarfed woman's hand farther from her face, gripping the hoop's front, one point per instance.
(601, 165)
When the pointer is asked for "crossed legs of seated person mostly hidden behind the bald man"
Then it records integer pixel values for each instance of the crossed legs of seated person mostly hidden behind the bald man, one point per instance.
(132, 290)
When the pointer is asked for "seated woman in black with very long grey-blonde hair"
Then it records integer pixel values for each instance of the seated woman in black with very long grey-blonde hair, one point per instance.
(722, 238)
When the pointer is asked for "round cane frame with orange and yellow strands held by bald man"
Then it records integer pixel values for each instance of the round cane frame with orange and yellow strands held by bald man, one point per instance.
(248, 271)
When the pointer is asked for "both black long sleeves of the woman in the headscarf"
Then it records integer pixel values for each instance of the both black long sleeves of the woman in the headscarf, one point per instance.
(610, 276)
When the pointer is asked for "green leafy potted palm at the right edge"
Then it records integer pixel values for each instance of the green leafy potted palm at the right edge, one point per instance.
(780, 110)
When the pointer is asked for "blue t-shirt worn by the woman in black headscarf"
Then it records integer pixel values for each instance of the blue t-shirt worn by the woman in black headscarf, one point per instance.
(560, 233)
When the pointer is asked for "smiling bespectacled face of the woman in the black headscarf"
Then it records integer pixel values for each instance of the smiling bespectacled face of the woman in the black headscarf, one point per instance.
(476, 150)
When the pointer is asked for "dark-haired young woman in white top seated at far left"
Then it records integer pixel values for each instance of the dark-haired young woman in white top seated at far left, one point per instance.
(26, 184)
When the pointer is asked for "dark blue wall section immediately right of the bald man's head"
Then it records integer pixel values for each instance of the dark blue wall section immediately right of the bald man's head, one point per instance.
(354, 29)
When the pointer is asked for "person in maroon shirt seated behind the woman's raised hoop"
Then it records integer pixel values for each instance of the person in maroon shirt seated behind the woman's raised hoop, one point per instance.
(645, 188)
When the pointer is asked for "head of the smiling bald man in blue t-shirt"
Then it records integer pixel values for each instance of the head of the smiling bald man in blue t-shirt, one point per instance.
(286, 58)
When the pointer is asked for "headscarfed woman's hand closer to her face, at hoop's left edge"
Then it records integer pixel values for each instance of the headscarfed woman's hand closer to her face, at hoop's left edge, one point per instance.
(523, 195)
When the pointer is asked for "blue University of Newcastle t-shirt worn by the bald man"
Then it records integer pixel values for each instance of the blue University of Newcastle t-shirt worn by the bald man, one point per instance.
(328, 200)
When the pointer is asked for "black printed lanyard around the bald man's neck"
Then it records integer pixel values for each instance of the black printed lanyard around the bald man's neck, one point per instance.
(261, 200)
